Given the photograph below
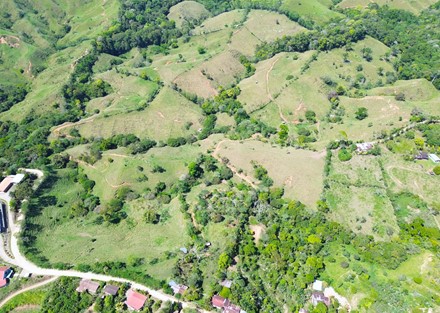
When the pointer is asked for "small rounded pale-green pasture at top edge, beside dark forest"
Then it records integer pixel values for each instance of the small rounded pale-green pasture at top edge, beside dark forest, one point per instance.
(187, 11)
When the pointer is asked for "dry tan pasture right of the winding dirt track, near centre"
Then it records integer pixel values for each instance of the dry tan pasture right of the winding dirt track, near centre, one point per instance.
(298, 171)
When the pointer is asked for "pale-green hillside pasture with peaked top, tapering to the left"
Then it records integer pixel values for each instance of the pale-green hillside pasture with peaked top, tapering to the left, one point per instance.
(165, 117)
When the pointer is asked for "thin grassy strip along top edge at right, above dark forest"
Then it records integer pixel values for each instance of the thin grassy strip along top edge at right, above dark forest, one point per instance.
(414, 6)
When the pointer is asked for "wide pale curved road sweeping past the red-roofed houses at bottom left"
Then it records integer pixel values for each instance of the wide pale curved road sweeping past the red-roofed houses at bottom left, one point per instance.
(20, 261)
